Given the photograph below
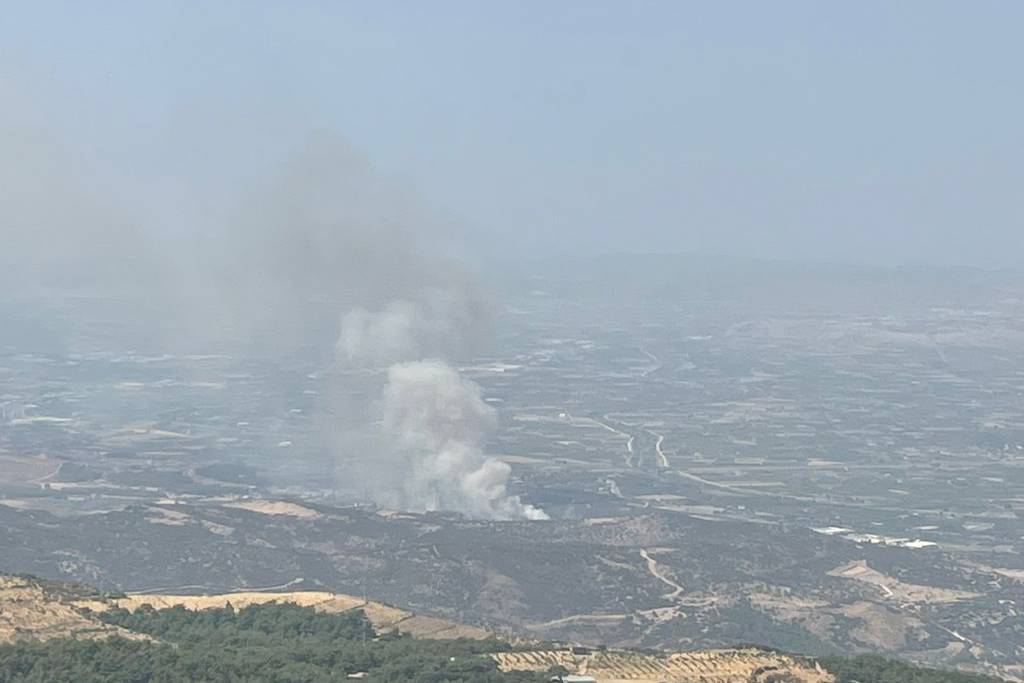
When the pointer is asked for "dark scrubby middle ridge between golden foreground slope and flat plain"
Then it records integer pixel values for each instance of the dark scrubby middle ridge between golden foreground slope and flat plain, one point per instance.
(610, 579)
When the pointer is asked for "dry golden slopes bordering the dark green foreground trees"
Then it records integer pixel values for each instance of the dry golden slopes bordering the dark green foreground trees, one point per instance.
(35, 610)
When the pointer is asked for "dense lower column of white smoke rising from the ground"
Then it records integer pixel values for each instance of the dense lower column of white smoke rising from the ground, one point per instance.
(437, 422)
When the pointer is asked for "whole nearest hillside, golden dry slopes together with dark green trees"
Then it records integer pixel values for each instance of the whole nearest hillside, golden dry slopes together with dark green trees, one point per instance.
(47, 628)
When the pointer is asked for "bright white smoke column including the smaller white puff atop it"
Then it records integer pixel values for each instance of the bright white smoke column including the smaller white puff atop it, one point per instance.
(433, 423)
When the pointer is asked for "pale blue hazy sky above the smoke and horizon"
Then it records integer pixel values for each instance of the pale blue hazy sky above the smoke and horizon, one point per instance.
(859, 132)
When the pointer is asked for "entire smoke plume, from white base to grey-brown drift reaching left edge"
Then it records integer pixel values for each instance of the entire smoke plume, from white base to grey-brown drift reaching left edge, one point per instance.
(322, 258)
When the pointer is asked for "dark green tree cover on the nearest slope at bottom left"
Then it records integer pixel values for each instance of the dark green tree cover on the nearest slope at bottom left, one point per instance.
(281, 644)
